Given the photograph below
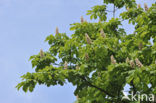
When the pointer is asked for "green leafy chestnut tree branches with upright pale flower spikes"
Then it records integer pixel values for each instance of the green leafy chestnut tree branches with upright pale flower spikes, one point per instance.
(100, 58)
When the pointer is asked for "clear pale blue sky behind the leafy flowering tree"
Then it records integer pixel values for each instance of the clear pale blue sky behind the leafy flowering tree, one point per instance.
(24, 25)
